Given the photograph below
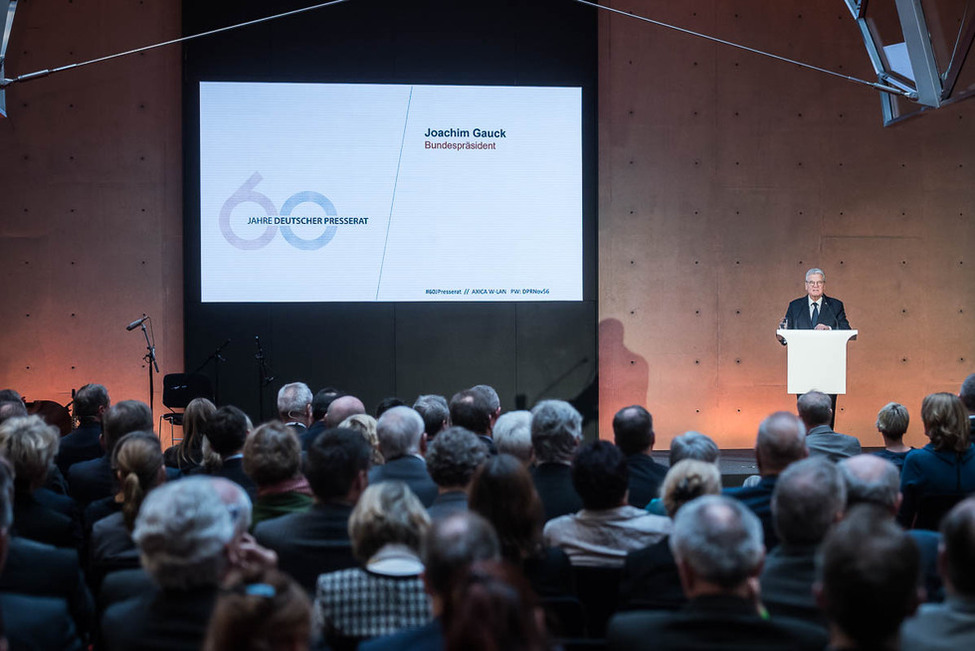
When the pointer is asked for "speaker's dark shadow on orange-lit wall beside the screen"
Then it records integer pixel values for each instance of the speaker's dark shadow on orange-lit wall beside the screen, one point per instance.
(624, 376)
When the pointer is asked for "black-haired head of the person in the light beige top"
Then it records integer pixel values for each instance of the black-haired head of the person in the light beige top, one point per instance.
(600, 475)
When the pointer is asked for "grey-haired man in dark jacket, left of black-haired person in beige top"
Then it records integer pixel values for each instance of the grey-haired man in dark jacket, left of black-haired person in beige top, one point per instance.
(556, 433)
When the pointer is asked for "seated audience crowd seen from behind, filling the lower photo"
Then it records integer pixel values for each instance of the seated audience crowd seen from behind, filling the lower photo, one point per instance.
(452, 525)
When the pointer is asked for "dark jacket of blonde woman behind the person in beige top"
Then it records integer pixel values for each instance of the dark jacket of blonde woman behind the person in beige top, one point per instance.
(650, 579)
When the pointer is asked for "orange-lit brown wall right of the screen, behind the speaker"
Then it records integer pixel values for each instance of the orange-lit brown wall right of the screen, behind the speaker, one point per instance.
(725, 175)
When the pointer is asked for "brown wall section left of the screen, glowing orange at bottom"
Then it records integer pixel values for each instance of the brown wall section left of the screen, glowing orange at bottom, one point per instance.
(91, 210)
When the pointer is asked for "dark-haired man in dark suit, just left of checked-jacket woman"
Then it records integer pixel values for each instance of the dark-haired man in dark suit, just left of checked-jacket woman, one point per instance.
(317, 541)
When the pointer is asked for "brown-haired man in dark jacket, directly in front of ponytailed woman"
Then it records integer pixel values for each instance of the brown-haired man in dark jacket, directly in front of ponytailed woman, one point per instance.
(95, 479)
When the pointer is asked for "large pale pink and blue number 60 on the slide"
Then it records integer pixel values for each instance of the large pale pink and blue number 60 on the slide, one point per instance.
(246, 194)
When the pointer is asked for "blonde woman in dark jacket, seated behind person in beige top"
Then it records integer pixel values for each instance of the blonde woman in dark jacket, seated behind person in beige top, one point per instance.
(650, 579)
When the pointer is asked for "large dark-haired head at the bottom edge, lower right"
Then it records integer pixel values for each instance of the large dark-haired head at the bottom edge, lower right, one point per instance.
(869, 574)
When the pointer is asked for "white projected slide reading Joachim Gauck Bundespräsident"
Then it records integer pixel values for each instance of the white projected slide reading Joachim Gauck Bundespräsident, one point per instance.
(365, 192)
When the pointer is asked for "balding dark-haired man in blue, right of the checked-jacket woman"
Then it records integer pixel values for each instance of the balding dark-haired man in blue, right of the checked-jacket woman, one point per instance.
(449, 548)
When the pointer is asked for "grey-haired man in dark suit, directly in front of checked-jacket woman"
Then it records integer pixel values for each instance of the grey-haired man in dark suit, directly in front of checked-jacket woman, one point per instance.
(401, 440)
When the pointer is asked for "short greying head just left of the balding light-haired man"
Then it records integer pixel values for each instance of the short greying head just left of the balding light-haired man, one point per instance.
(808, 499)
